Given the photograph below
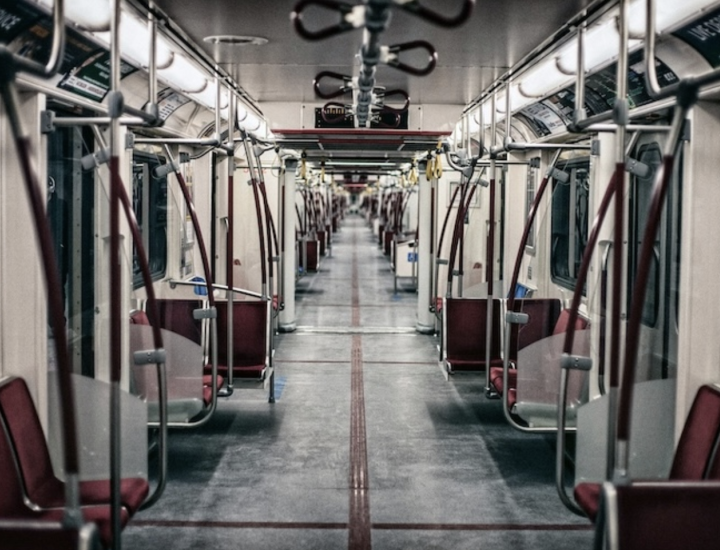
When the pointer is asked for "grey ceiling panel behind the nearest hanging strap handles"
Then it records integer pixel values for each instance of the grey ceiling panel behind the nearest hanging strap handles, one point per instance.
(498, 35)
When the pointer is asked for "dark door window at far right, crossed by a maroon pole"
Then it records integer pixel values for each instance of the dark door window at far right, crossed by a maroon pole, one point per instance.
(640, 197)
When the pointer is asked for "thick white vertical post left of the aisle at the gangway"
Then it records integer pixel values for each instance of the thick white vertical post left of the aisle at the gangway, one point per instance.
(287, 315)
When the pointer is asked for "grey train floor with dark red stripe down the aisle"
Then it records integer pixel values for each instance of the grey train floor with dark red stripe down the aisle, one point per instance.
(367, 445)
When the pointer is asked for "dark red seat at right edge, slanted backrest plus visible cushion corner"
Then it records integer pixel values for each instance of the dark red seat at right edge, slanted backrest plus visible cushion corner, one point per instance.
(695, 457)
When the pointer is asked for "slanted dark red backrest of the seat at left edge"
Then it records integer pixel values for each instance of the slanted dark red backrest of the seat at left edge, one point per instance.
(27, 438)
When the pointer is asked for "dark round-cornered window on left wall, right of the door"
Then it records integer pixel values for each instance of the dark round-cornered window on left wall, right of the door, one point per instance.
(150, 205)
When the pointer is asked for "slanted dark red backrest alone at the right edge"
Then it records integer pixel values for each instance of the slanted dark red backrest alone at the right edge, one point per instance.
(699, 437)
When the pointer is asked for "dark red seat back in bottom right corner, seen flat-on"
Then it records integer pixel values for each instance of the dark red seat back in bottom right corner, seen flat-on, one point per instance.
(668, 516)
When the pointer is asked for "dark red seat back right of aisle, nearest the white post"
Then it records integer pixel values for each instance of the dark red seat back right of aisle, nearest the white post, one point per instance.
(466, 322)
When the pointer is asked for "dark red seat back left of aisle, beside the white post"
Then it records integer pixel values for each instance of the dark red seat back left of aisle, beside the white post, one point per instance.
(249, 338)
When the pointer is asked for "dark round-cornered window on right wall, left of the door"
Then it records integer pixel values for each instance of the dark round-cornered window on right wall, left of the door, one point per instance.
(569, 221)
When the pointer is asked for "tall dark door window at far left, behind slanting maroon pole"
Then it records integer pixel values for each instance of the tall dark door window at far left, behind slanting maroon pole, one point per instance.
(71, 213)
